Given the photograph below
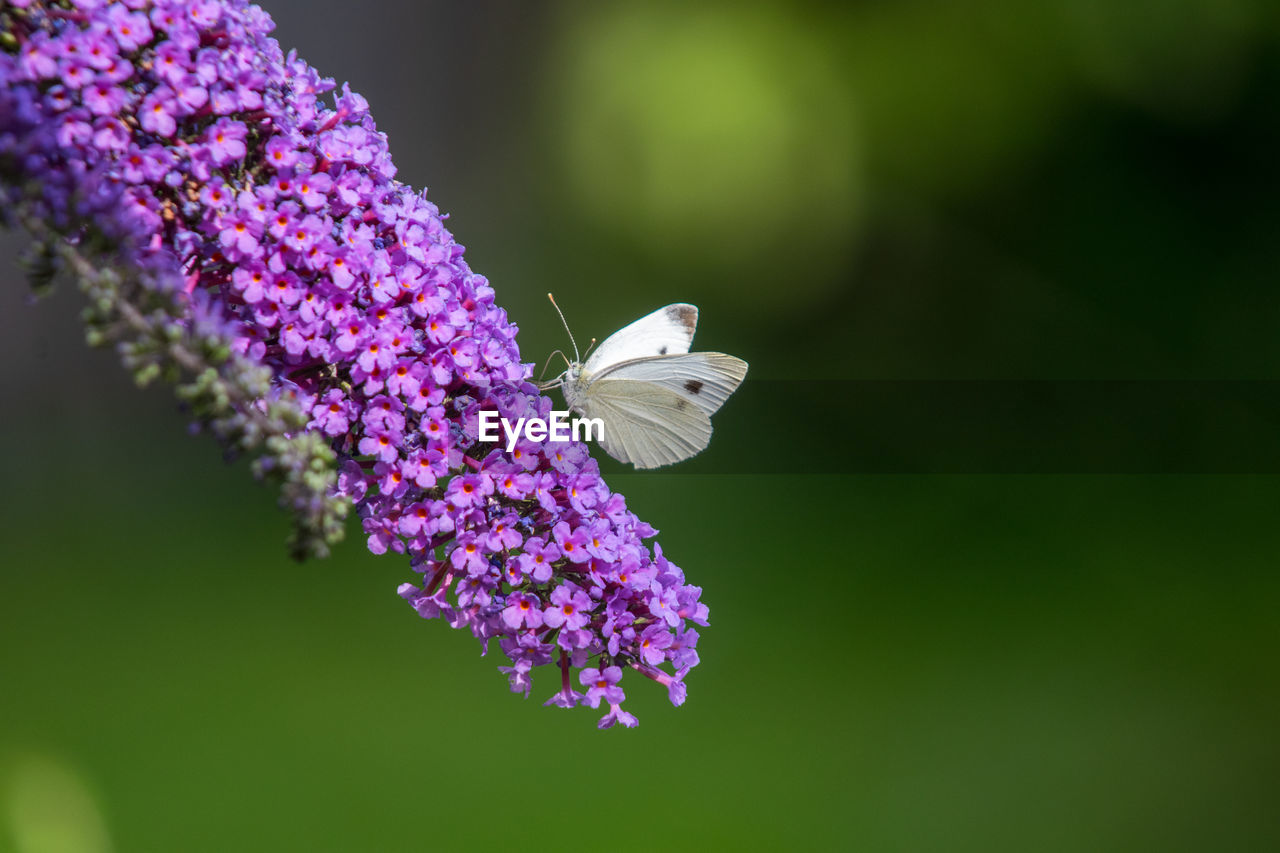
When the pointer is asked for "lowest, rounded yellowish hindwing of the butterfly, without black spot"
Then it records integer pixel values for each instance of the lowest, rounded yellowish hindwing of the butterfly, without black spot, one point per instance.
(646, 425)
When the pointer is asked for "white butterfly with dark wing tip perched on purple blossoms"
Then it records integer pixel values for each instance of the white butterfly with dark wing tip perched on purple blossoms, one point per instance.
(655, 396)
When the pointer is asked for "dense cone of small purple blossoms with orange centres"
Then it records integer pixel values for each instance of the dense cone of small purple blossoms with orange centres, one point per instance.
(181, 130)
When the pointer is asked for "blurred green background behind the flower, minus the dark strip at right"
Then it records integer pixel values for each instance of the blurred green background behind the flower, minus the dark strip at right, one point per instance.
(920, 190)
